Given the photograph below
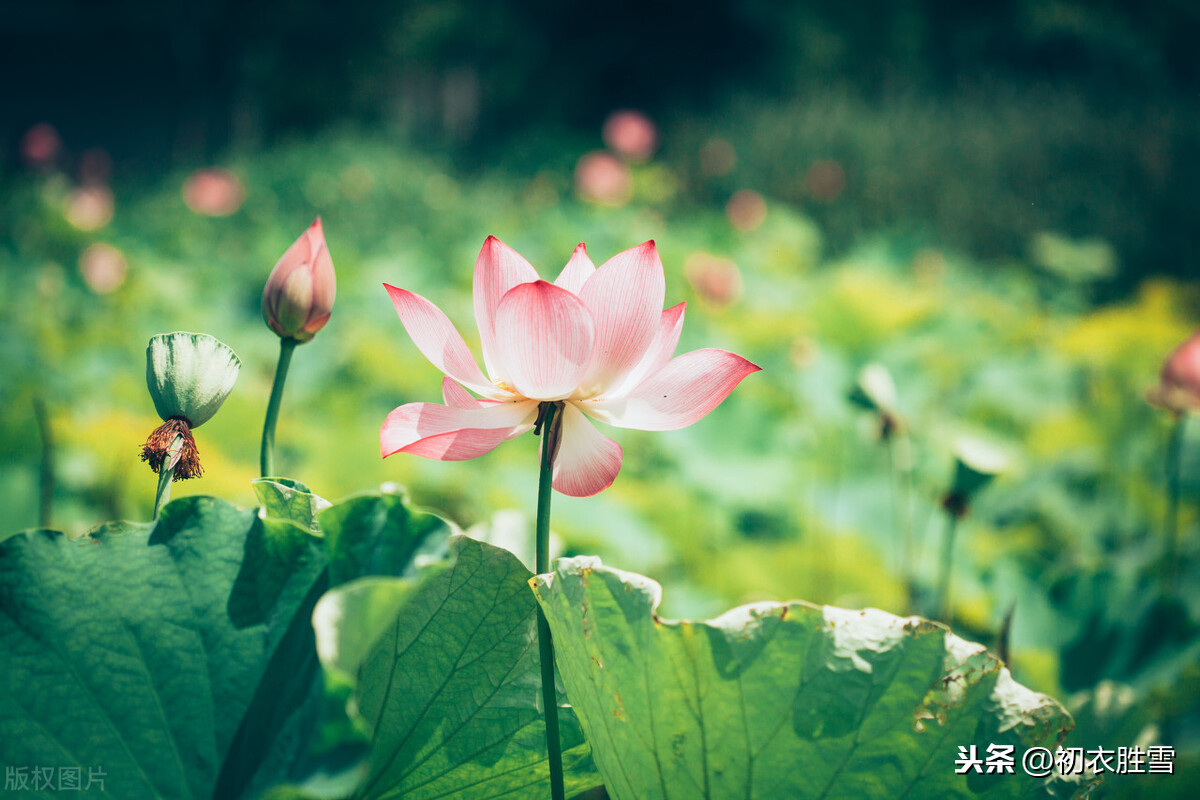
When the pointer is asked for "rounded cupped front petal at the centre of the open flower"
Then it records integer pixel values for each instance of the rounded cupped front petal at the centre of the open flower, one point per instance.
(544, 339)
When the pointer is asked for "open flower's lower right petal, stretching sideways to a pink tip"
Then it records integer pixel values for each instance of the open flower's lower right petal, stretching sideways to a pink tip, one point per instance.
(680, 394)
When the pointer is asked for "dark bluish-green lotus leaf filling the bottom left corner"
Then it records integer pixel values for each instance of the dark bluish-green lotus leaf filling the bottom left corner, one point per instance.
(122, 651)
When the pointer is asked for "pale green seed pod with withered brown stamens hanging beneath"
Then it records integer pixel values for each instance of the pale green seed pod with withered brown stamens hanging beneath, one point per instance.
(189, 377)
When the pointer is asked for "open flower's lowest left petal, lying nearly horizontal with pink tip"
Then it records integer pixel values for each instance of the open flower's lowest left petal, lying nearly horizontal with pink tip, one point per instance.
(453, 434)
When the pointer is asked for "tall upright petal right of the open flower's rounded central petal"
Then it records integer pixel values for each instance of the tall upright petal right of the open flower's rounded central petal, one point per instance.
(626, 300)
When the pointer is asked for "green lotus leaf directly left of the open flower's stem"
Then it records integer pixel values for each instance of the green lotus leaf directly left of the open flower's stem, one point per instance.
(446, 681)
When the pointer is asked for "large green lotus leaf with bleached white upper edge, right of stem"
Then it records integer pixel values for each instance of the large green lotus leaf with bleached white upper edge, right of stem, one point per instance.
(781, 701)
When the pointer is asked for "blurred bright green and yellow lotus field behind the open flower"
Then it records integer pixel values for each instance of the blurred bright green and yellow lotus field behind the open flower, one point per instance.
(785, 491)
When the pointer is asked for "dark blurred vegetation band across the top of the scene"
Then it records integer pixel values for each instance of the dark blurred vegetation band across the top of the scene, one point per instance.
(975, 125)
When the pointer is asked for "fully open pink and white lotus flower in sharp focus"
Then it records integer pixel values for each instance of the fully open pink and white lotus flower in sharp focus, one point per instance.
(596, 344)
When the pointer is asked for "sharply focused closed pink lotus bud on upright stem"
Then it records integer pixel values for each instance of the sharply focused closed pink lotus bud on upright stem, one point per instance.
(299, 294)
